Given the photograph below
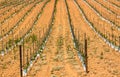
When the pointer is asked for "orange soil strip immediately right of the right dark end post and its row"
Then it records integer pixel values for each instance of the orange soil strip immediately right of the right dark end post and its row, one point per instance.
(98, 65)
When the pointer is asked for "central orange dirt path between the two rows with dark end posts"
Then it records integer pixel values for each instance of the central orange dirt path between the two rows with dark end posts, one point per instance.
(59, 59)
